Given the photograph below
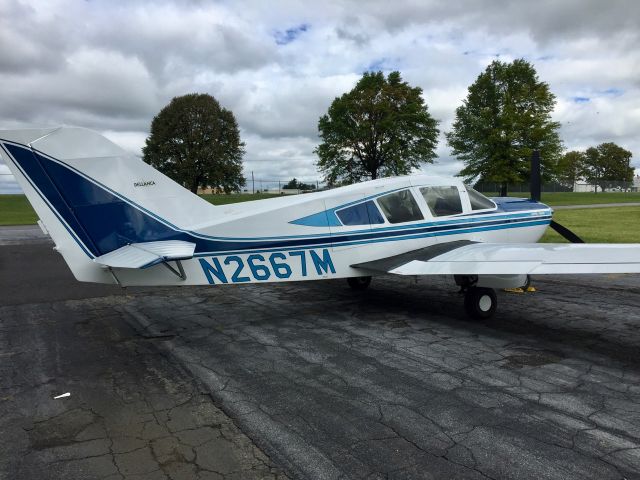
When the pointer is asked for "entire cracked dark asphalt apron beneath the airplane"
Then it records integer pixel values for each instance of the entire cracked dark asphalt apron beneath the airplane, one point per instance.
(313, 381)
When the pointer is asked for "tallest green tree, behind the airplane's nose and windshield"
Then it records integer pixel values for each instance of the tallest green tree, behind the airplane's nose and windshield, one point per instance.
(505, 116)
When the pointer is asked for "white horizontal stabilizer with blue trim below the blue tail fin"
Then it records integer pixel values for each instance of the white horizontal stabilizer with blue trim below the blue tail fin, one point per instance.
(147, 254)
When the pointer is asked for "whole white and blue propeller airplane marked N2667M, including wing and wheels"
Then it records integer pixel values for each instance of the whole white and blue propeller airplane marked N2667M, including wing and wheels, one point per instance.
(117, 220)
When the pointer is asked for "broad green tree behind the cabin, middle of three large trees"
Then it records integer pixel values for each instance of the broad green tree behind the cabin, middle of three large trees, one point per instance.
(380, 128)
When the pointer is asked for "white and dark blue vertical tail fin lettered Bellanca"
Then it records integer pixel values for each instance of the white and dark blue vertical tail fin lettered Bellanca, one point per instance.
(93, 197)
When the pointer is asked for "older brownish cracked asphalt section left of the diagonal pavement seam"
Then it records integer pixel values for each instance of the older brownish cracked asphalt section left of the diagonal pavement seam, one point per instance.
(86, 394)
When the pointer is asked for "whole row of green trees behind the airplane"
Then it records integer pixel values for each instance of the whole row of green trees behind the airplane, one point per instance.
(383, 127)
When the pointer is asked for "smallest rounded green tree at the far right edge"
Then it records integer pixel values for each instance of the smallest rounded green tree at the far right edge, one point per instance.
(607, 163)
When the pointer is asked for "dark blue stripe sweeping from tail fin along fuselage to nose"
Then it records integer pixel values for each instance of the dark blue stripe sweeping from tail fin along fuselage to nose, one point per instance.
(103, 220)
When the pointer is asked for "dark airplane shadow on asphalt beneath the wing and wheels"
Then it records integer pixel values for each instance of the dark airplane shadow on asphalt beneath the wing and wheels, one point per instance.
(530, 317)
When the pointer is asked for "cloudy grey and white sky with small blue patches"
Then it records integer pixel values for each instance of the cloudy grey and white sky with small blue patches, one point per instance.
(112, 65)
